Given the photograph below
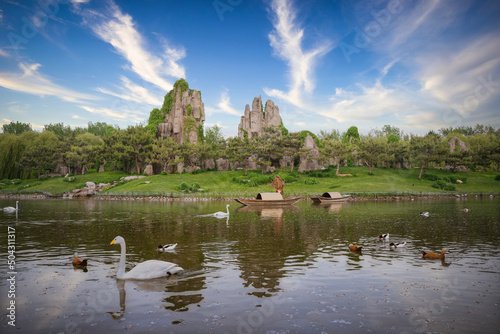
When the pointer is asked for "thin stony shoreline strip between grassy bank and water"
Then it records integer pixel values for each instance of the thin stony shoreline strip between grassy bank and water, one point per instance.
(205, 199)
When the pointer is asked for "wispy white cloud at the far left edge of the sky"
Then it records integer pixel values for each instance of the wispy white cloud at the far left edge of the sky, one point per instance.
(31, 81)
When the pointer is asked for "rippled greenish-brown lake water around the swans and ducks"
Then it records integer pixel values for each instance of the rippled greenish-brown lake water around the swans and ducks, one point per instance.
(262, 270)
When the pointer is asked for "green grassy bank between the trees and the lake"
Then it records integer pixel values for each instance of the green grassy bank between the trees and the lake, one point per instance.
(235, 184)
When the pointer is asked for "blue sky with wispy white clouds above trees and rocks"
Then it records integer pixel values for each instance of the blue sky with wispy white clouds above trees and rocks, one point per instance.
(417, 65)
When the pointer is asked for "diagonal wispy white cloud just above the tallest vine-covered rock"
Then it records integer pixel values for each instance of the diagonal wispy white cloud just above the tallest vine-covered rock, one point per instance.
(119, 30)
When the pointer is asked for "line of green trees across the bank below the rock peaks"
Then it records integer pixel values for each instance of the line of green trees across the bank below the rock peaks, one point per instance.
(25, 153)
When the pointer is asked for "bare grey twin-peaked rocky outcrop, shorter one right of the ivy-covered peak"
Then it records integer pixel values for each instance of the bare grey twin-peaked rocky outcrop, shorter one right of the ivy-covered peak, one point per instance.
(254, 121)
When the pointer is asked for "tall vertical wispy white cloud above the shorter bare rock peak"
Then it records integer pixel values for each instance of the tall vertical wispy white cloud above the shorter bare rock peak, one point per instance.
(286, 41)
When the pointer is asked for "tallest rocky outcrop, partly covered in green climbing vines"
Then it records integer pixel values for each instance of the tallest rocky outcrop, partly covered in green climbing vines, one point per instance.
(184, 114)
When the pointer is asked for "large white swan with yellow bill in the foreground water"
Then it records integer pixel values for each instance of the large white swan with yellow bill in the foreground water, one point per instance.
(144, 270)
